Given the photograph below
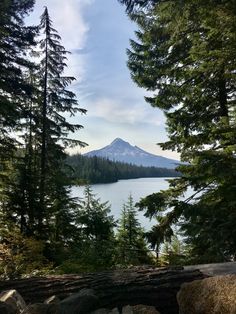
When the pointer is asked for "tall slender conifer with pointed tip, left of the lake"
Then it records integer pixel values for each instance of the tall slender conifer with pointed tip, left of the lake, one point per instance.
(35, 194)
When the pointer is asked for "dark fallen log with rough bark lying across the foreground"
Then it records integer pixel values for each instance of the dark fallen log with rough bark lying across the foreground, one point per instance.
(151, 286)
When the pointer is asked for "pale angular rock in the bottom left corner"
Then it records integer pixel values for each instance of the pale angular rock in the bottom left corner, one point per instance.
(14, 299)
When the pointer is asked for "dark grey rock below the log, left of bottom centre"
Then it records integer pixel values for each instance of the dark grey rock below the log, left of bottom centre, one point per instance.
(83, 302)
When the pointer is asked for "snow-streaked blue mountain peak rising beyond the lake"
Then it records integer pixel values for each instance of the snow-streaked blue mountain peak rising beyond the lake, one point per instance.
(119, 150)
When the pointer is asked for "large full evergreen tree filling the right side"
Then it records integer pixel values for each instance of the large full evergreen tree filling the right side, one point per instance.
(185, 55)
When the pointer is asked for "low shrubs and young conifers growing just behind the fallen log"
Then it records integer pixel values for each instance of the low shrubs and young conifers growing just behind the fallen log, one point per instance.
(94, 243)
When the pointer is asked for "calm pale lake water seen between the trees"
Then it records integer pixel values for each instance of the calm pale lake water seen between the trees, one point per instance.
(117, 194)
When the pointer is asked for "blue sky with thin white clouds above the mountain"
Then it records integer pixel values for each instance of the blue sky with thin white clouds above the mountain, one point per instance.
(97, 33)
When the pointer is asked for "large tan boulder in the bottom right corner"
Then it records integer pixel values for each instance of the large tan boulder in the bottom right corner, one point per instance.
(215, 295)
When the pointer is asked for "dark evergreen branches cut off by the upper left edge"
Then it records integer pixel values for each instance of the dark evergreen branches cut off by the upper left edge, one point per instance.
(15, 40)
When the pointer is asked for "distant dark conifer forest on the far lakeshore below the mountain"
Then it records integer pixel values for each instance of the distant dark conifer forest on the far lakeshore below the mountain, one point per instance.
(91, 170)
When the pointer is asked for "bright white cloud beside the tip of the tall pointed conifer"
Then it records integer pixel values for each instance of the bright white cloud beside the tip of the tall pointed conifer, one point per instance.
(68, 19)
